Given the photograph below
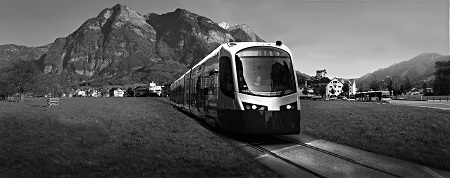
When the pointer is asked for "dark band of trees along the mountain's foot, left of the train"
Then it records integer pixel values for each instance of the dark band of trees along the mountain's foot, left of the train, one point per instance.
(24, 77)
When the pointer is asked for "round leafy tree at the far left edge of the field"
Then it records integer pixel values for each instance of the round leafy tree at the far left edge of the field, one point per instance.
(22, 75)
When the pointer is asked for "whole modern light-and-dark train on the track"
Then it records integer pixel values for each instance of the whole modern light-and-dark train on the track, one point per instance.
(247, 88)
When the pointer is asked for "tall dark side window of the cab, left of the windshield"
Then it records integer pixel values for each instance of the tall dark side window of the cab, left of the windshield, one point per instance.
(225, 76)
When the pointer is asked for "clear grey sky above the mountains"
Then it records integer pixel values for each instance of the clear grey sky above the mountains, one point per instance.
(348, 38)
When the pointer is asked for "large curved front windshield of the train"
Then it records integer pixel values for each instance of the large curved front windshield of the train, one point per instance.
(265, 71)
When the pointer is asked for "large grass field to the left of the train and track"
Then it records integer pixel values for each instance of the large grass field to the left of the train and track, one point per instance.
(133, 137)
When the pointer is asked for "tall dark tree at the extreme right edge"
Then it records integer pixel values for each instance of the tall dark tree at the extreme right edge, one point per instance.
(442, 78)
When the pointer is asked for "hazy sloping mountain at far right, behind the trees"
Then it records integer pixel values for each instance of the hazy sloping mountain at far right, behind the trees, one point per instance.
(418, 69)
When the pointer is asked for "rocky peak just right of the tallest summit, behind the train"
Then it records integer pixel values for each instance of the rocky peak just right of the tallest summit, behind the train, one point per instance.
(186, 37)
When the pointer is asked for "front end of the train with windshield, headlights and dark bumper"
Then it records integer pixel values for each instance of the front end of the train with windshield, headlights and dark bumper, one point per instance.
(266, 97)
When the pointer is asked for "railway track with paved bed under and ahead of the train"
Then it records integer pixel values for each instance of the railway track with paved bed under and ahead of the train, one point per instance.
(291, 153)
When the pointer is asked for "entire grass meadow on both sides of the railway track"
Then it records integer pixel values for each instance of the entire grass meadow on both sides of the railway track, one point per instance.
(146, 137)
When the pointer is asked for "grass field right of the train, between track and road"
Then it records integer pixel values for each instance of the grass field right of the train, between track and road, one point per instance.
(420, 135)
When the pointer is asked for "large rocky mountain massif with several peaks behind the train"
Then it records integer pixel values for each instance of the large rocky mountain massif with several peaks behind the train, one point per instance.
(119, 44)
